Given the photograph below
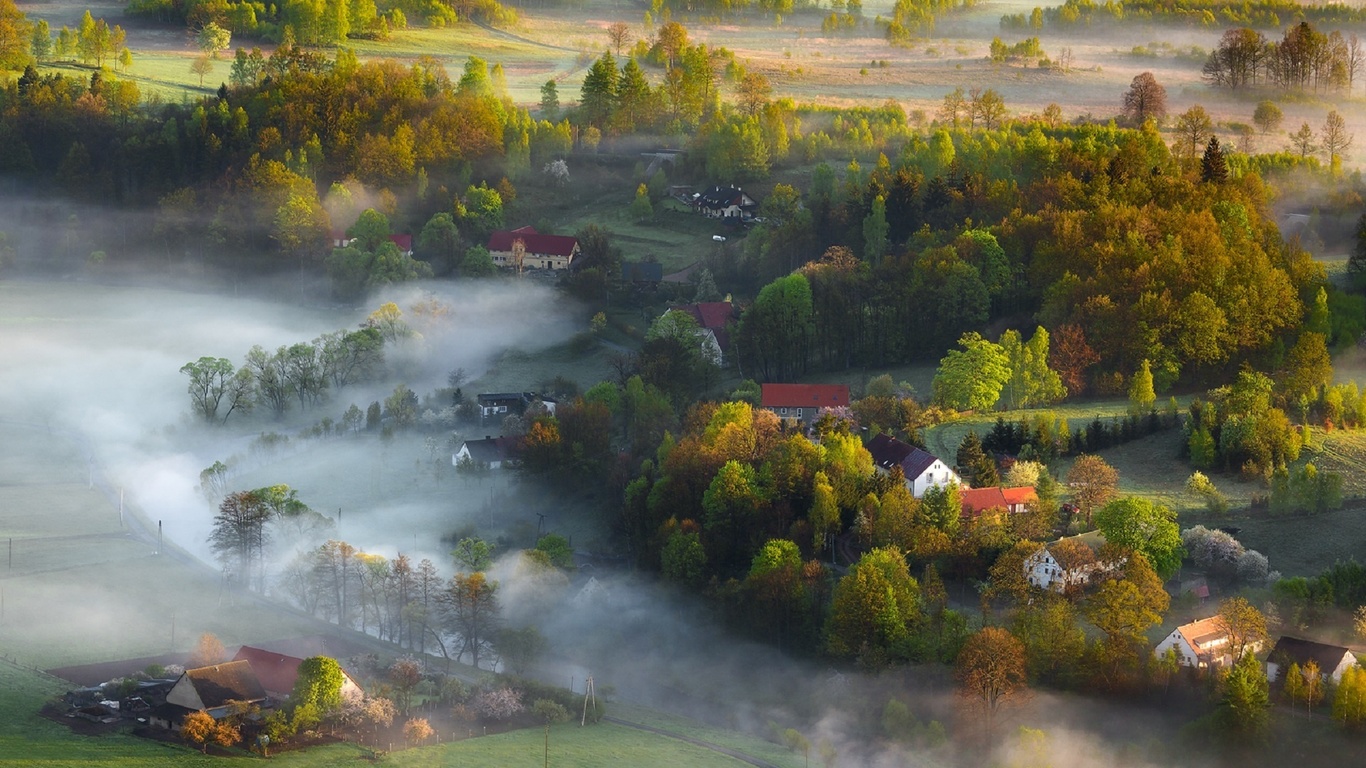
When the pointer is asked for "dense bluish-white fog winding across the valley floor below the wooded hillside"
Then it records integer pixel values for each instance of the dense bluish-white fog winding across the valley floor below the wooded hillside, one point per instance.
(104, 363)
